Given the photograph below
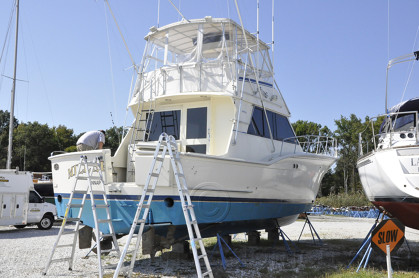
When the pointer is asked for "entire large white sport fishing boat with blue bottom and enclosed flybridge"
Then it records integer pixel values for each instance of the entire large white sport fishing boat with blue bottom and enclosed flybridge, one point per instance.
(210, 84)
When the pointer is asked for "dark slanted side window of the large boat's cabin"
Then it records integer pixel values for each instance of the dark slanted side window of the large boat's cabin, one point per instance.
(280, 126)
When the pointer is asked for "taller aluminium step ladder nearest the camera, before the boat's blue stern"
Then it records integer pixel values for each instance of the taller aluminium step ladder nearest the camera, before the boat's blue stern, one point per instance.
(166, 144)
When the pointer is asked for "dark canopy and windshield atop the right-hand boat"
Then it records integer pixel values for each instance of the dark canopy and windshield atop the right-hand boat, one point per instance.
(402, 117)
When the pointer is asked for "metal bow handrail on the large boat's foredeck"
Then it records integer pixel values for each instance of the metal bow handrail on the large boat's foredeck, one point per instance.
(316, 144)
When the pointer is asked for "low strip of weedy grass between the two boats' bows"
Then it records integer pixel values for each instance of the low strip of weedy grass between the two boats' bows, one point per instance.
(357, 199)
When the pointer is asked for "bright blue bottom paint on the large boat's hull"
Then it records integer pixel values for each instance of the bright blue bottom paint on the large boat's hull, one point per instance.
(213, 215)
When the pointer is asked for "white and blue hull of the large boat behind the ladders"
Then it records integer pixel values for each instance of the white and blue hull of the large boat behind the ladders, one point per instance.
(235, 197)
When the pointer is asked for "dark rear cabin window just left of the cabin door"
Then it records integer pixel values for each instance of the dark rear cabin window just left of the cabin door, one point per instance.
(165, 121)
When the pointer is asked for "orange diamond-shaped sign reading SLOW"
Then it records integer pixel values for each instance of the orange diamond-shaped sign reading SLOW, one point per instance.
(388, 232)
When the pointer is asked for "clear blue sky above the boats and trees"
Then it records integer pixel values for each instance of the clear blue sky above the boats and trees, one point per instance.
(330, 56)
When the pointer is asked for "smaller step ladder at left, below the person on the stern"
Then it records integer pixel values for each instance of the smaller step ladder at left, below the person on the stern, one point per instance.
(92, 172)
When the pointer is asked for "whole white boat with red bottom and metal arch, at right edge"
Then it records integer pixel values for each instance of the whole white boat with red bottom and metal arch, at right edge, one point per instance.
(389, 170)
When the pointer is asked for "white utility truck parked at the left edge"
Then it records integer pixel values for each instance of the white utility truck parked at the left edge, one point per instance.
(20, 204)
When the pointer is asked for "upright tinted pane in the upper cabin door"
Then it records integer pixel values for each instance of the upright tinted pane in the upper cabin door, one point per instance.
(196, 126)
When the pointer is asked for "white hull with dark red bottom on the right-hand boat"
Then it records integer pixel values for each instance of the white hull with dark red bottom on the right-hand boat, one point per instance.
(390, 179)
